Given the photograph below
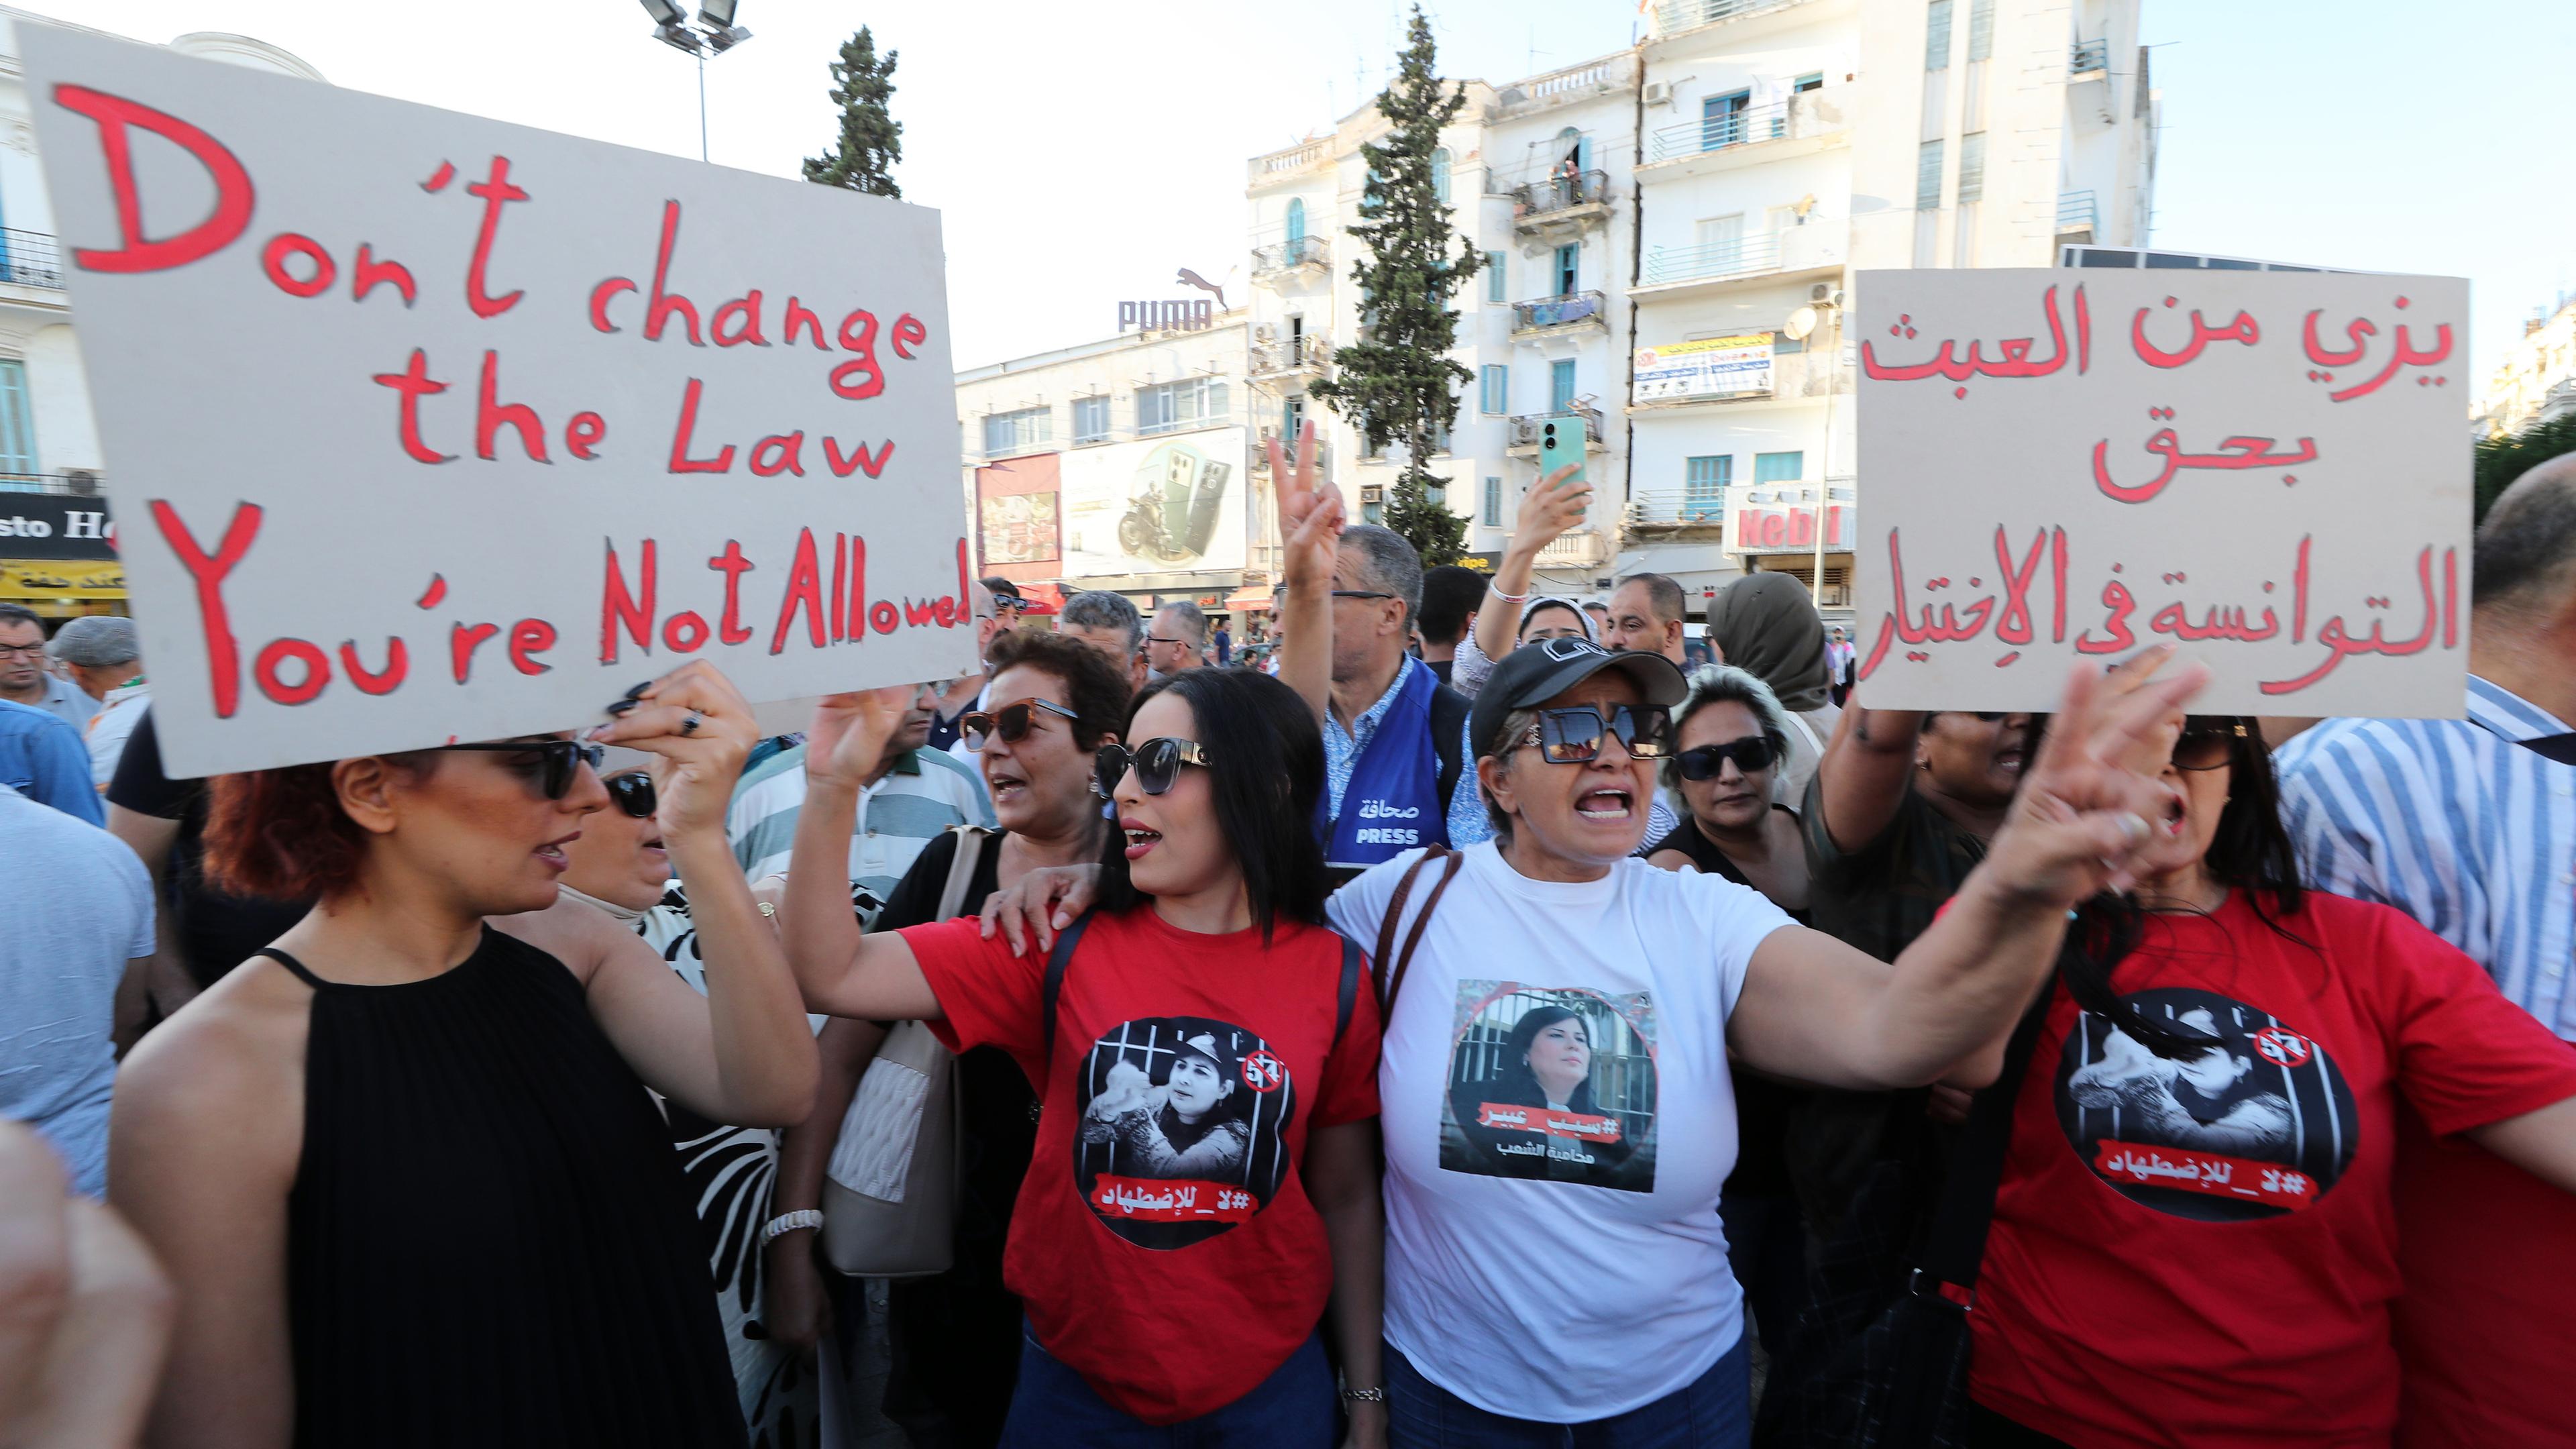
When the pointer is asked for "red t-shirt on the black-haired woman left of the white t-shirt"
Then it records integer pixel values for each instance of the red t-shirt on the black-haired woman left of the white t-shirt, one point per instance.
(1163, 1241)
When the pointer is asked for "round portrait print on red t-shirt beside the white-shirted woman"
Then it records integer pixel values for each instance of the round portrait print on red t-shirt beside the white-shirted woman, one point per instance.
(1184, 1128)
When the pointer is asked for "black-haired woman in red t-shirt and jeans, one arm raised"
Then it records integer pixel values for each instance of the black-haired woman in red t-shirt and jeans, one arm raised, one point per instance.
(1207, 1169)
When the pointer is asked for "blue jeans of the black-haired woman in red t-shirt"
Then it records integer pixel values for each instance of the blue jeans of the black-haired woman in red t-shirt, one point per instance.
(1055, 1406)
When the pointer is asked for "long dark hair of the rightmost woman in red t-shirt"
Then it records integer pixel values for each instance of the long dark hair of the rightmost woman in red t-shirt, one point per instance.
(2250, 852)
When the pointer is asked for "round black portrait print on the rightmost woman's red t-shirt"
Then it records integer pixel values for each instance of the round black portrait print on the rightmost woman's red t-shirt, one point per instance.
(2253, 1128)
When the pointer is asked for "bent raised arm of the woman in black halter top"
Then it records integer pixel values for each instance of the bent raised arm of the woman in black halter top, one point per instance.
(741, 1053)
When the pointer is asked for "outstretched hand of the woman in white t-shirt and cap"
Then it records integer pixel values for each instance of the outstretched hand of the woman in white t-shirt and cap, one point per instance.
(2090, 806)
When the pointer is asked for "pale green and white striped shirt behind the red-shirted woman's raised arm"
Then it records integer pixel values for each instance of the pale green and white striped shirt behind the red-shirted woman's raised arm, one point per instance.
(908, 801)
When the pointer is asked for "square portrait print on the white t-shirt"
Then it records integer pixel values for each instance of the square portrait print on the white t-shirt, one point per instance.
(1552, 1084)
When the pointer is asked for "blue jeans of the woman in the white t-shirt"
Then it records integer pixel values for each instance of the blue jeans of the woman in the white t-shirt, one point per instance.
(1709, 1414)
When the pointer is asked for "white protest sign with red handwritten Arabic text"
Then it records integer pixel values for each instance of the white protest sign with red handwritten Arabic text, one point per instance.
(2072, 465)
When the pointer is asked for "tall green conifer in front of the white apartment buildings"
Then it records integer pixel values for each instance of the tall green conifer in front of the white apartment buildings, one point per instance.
(1397, 383)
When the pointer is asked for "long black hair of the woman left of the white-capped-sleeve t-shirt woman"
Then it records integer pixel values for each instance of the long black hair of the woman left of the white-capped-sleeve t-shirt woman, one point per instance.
(1266, 770)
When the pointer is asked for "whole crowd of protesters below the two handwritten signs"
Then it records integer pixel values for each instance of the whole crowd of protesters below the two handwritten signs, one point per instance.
(1444, 1015)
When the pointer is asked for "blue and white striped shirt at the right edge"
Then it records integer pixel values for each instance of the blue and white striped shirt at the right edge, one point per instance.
(2454, 824)
